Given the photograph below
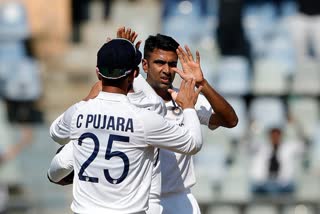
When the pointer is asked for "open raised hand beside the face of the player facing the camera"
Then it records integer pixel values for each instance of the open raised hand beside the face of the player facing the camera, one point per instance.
(191, 68)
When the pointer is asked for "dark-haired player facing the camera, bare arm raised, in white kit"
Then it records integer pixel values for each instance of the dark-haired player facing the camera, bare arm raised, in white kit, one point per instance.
(161, 54)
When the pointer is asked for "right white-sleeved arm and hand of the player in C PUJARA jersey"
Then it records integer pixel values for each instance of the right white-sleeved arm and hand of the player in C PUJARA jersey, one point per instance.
(187, 139)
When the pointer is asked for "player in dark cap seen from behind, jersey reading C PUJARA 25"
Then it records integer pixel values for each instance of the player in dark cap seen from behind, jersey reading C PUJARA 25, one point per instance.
(113, 141)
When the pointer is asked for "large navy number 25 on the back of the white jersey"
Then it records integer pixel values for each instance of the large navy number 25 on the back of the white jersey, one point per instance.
(108, 156)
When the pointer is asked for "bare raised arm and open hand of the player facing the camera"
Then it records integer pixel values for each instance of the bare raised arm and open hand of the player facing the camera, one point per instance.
(223, 114)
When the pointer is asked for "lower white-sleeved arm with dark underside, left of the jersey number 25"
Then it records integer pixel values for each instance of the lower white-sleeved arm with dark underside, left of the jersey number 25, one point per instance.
(61, 167)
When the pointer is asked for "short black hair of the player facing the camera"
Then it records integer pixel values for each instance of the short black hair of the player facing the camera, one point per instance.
(159, 41)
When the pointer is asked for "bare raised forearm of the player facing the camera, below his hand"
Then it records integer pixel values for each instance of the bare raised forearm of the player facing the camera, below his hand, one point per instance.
(223, 110)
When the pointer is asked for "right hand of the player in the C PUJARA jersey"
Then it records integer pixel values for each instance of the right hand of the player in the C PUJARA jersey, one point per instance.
(187, 95)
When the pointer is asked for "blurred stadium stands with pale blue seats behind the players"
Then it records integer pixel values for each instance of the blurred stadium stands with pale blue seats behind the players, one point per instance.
(47, 62)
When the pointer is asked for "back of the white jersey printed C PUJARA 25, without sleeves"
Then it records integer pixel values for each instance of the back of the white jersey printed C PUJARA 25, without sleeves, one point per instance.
(112, 160)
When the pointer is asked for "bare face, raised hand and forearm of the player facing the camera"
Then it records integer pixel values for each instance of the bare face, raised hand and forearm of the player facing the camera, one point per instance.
(161, 67)
